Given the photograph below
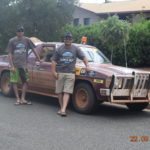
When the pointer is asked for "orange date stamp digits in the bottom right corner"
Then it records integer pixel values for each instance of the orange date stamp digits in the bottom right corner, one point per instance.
(143, 138)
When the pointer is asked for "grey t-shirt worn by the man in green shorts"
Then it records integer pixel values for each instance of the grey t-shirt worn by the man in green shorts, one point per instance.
(19, 50)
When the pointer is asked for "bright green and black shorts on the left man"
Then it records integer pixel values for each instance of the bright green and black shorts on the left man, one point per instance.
(20, 74)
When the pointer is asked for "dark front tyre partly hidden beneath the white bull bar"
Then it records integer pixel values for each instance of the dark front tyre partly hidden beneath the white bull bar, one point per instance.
(137, 106)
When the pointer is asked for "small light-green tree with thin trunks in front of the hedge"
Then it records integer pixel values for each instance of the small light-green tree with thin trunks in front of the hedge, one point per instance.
(114, 34)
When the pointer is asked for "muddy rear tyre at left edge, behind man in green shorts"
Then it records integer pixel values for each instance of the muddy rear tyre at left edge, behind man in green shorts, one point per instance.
(6, 86)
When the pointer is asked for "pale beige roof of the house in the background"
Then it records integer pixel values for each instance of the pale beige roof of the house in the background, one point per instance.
(118, 7)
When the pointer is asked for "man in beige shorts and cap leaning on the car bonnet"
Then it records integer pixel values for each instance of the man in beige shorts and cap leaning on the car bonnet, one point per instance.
(65, 58)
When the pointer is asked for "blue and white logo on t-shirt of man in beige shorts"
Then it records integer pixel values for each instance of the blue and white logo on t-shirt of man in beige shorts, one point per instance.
(67, 58)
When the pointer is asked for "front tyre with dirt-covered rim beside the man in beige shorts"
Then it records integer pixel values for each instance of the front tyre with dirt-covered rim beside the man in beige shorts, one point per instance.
(83, 99)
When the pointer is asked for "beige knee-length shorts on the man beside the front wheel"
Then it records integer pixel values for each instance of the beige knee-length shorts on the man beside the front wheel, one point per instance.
(65, 83)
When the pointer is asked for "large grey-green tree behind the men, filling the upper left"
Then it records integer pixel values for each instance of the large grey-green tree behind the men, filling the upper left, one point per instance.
(41, 18)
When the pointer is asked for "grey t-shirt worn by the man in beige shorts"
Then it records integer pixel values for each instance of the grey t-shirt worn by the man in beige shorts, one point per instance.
(66, 58)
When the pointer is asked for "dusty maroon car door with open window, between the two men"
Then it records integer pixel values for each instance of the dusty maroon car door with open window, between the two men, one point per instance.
(42, 73)
